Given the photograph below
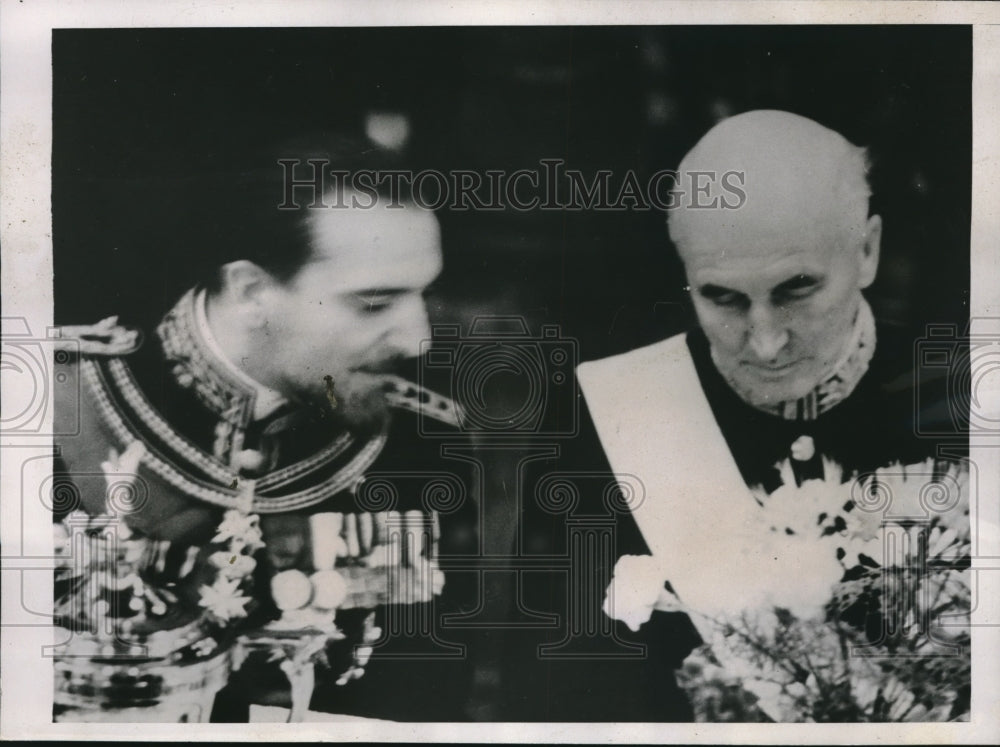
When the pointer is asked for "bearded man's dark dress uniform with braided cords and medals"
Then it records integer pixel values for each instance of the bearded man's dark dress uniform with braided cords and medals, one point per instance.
(380, 505)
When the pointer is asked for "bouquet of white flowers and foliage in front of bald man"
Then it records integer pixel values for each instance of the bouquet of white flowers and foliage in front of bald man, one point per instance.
(851, 603)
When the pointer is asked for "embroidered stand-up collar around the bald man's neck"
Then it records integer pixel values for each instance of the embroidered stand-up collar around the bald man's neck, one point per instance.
(838, 384)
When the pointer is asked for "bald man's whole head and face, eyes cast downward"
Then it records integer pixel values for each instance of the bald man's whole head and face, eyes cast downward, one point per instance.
(776, 278)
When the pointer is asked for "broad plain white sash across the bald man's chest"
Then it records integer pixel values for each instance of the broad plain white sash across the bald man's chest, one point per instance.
(654, 421)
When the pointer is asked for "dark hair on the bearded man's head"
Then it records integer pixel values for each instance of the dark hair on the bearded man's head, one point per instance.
(256, 214)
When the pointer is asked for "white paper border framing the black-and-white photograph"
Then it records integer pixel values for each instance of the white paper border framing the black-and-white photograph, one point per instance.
(25, 237)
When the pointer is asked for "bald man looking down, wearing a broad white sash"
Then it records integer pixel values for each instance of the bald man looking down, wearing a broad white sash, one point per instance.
(786, 372)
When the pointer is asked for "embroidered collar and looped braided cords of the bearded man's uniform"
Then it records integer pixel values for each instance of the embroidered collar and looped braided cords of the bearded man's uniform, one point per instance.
(338, 462)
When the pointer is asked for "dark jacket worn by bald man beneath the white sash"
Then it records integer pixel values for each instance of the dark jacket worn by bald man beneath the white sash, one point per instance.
(566, 660)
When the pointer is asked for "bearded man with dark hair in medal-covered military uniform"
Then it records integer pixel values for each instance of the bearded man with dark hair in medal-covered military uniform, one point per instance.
(271, 389)
